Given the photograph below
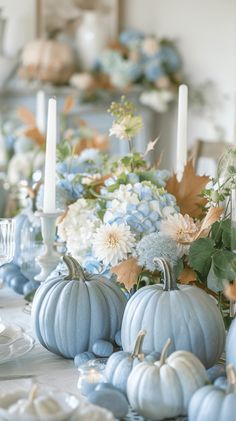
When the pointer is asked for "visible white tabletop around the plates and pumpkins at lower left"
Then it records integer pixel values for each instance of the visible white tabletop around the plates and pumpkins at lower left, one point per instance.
(42, 366)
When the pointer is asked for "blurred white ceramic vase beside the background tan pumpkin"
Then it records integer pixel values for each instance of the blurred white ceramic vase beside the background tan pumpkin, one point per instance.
(92, 37)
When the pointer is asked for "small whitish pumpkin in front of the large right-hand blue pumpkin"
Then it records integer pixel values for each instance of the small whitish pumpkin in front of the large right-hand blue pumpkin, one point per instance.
(163, 389)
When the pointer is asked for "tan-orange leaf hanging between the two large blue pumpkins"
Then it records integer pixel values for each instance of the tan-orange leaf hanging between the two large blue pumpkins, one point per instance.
(127, 272)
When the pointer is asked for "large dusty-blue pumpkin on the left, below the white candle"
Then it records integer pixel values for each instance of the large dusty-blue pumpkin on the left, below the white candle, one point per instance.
(70, 313)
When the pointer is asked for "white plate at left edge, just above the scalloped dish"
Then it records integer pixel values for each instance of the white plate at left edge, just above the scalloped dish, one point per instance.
(16, 349)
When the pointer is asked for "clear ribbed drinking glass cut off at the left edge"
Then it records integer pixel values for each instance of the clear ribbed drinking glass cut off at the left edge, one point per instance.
(7, 240)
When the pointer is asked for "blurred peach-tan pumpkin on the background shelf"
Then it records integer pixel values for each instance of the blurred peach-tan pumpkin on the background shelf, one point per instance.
(48, 61)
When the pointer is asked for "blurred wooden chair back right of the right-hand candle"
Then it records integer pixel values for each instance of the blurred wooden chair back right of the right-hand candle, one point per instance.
(207, 149)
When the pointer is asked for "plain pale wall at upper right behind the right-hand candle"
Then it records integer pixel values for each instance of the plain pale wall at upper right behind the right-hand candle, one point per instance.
(205, 31)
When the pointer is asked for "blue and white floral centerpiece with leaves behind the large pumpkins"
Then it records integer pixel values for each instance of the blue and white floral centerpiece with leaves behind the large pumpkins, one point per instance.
(141, 212)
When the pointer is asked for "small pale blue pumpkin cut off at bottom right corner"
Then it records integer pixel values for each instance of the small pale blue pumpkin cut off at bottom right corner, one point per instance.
(212, 403)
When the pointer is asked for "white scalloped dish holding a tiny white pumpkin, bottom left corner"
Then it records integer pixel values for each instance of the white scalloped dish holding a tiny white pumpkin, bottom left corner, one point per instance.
(68, 404)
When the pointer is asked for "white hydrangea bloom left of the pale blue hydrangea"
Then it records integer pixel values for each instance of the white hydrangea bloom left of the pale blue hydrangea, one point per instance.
(78, 227)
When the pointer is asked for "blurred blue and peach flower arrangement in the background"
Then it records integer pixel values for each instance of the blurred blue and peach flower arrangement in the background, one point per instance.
(134, 61)
